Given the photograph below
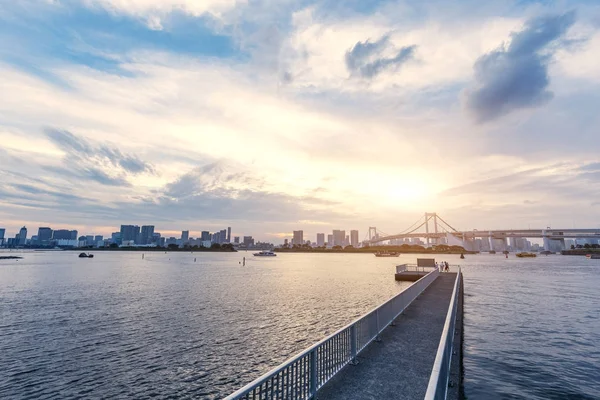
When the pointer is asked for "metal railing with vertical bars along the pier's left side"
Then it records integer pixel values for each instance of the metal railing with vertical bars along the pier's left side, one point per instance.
(303, 375)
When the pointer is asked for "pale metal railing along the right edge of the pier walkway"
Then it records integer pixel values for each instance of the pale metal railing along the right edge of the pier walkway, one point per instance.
(440, 374)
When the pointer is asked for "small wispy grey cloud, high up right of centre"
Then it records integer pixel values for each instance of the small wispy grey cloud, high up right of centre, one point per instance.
(366, 59)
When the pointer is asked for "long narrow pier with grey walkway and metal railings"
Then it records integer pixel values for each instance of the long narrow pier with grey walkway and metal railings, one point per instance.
(409, 347)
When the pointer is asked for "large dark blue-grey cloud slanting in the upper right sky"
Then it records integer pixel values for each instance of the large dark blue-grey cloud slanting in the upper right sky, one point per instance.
(516, 76)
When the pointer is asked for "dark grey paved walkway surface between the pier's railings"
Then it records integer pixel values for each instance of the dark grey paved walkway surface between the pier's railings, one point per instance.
(399, 366)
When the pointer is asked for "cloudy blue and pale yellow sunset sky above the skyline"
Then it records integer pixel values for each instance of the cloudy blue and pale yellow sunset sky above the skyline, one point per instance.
(272, 116)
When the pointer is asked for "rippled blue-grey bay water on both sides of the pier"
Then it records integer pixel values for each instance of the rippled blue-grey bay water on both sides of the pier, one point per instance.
(167, 327)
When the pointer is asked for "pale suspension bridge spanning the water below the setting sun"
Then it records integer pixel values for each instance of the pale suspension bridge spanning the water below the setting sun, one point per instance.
(434, 230)
